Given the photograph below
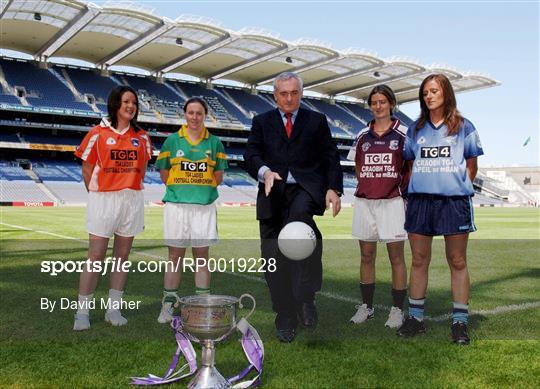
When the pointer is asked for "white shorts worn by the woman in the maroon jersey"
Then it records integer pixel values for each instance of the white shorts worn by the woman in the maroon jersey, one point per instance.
(379, 220)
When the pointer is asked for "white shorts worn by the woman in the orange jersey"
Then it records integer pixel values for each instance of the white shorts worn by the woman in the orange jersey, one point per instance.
(119, 212)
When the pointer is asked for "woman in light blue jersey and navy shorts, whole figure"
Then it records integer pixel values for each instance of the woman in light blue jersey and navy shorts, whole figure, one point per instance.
(443, 147)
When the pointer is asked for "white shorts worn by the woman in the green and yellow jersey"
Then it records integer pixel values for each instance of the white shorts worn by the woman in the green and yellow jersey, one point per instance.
(192, 225)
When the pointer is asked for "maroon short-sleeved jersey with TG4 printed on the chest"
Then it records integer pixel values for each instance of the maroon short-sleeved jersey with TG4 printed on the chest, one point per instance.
(380, 168)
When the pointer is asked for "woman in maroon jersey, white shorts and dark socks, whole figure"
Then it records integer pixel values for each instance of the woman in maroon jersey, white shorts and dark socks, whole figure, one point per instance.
(379, 208)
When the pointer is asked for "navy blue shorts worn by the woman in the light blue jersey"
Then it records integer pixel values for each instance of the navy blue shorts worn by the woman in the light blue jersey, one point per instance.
(439, 215)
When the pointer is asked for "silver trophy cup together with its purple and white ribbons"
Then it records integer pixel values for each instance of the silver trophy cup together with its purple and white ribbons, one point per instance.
(209, 319)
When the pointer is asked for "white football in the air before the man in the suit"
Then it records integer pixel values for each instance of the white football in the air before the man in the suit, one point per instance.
(297, 241)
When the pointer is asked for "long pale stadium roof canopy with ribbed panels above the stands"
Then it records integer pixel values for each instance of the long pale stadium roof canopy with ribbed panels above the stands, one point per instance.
(123, 34)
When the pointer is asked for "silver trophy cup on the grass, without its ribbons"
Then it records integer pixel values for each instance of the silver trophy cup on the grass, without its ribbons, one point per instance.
(209, 319)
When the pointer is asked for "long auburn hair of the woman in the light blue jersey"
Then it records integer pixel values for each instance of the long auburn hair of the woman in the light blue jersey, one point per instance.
(451, 116)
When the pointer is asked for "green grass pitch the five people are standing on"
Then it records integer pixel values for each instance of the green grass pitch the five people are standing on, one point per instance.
(39, 349)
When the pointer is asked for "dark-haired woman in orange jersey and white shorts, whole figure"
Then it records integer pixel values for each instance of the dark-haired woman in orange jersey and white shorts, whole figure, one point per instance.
(114, 155)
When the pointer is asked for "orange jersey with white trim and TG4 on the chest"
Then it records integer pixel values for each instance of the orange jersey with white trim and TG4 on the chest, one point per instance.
(120, 157)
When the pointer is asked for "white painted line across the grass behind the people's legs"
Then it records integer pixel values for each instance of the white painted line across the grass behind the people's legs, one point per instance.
(333, 296)
